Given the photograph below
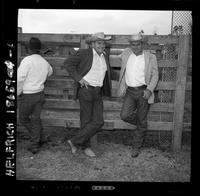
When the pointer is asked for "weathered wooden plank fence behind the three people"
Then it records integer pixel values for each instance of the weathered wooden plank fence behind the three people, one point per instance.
(172, 108)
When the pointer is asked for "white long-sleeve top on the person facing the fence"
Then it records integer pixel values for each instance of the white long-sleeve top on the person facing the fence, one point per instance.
(32, 74)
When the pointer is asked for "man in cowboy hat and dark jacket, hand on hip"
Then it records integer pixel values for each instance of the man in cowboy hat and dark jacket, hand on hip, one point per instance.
(92, 74)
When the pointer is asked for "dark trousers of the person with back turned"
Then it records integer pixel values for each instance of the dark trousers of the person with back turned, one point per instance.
(30, 108)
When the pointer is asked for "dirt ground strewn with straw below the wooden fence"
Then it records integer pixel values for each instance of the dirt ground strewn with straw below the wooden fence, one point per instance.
(113, 162)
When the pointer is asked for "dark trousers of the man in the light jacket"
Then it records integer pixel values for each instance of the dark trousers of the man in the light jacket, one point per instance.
(134, 111)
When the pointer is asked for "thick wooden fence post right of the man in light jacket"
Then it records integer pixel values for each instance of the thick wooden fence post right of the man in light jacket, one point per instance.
(183, 54)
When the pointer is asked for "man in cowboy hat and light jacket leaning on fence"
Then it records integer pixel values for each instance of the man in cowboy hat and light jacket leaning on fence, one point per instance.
(137, 81)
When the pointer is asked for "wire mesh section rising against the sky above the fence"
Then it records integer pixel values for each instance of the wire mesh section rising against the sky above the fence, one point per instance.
(181, 22)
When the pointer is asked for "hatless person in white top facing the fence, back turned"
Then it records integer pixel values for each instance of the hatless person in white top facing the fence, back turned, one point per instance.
(31, 76)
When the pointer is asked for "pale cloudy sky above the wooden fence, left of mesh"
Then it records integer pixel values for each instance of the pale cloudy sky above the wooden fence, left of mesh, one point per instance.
(91, 21)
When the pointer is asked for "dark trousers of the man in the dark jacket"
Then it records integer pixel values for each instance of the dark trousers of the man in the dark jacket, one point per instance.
(91, 115)
